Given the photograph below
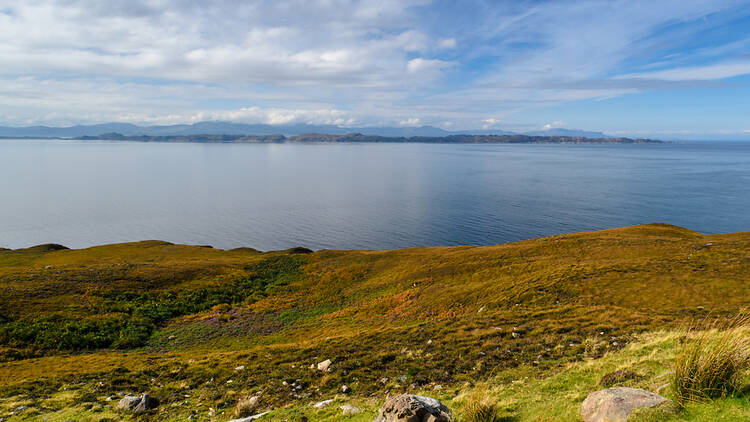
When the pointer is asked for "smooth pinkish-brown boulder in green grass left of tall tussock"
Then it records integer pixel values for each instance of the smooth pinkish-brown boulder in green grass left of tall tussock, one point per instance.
(616, 404)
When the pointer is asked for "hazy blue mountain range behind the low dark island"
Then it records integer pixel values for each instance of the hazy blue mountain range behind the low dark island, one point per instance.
(228, 128)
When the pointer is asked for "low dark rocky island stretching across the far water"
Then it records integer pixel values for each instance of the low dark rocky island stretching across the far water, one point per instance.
(361, 138)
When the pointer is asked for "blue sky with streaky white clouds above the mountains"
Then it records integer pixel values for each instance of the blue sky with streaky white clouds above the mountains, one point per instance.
(646, 68)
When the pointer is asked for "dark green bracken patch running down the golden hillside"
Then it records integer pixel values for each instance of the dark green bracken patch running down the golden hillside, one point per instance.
(128, 318)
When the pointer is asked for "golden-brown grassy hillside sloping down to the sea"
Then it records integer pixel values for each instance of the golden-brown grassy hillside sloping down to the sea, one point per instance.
(539, 318)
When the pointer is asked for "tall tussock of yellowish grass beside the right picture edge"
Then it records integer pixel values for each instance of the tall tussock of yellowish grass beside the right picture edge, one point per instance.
(711, 363)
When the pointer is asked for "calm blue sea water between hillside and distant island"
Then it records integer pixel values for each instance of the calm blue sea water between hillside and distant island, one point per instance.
(372, 196)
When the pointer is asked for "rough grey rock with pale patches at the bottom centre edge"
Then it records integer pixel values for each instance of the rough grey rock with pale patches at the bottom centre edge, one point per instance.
(411, 408)
